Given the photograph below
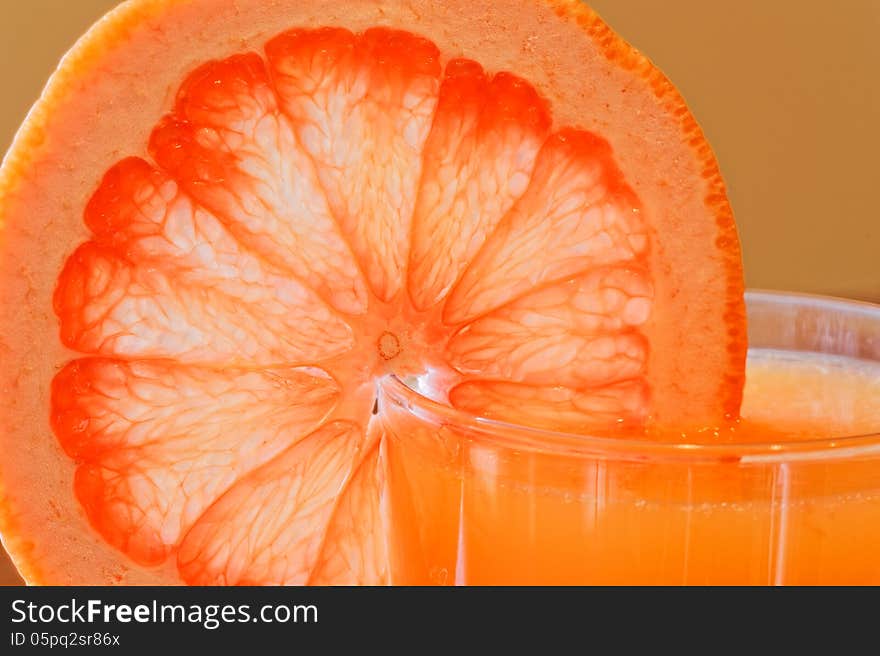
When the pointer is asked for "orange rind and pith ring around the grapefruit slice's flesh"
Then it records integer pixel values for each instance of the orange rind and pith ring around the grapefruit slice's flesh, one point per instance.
(99, 107)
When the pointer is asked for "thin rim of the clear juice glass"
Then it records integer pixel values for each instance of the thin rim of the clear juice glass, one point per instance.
(512, 435)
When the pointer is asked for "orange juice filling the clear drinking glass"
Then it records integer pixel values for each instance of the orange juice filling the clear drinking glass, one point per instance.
(468, 511)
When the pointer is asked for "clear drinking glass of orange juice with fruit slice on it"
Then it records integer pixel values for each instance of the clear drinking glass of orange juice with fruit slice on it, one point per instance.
(473, 501)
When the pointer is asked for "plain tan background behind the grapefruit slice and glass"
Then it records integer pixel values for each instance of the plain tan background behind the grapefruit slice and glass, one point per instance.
(788, 92)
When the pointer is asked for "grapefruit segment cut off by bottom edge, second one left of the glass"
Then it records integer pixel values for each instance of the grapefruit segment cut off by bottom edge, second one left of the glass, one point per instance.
(265, 530)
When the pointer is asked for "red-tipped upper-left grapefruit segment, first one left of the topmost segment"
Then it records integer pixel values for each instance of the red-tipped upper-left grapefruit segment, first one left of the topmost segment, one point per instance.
(232, 151)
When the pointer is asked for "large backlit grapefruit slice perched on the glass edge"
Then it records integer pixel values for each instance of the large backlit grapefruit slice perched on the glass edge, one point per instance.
(225, 221)
